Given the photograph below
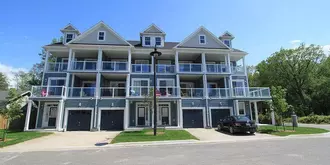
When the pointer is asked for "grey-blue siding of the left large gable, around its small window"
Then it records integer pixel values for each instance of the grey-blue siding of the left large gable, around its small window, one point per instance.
(110, 38)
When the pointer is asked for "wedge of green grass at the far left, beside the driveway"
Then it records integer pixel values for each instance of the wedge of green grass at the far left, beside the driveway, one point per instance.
(14, 137)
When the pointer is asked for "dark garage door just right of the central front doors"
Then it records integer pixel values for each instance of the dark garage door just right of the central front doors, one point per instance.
(193, 118)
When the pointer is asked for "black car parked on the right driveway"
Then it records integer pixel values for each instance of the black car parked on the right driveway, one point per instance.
(237, 124)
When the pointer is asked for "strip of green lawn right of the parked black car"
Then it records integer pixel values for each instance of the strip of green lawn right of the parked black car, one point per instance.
(289, 130)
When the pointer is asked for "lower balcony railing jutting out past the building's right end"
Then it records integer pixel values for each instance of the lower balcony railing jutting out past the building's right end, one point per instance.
(254, 92)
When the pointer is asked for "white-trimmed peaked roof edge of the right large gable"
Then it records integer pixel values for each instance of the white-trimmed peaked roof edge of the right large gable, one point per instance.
(202, 28)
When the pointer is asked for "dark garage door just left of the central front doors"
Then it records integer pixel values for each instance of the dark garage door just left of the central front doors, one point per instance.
(112, 119)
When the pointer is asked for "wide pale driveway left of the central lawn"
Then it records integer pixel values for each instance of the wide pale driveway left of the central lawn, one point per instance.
(64, 140)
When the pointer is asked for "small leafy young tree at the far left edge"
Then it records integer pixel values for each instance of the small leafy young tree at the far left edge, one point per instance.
(12, 110)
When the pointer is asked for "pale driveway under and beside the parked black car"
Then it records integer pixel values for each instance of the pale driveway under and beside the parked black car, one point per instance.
(213, 135)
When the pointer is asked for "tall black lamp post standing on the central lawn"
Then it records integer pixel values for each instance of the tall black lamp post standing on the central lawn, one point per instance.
(154, 54)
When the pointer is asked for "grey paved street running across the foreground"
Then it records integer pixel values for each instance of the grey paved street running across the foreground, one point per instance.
(291, 151)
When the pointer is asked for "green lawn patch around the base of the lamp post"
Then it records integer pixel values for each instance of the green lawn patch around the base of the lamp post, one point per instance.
(147, 135)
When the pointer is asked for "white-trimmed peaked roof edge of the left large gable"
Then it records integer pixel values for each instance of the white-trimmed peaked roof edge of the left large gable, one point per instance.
(101, 23)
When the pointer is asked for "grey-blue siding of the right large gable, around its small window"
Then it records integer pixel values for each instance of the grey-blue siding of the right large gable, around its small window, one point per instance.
(210, 42)
